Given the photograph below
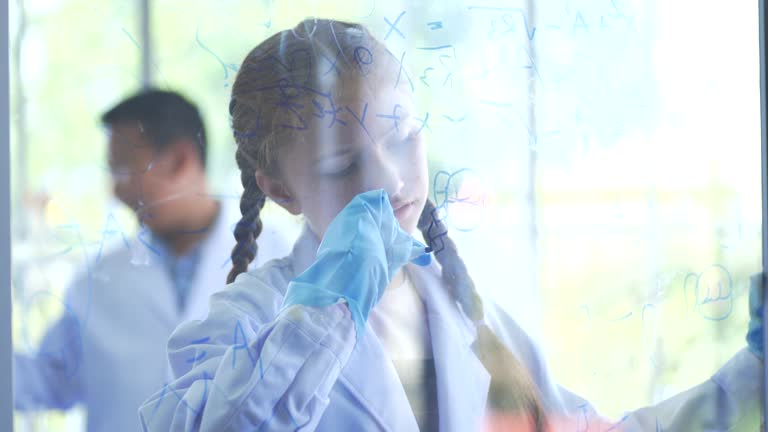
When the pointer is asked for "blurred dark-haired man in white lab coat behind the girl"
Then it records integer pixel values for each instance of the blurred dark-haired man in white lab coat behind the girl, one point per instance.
(110, 343)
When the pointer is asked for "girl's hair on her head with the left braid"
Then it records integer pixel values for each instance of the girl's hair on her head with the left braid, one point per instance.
(272, 76)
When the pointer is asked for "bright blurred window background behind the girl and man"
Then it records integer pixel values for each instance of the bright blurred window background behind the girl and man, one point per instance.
(598, 162)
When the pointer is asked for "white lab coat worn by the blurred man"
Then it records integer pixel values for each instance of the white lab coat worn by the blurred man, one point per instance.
(108, 350)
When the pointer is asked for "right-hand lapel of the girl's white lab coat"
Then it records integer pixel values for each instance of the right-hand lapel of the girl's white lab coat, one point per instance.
(462, 381)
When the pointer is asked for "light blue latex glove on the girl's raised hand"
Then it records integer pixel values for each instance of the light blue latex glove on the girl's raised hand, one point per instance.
(361, 251)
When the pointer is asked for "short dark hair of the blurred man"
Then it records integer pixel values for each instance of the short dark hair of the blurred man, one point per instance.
(163, 116)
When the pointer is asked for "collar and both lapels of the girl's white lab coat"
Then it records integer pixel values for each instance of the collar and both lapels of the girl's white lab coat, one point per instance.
(462, 380)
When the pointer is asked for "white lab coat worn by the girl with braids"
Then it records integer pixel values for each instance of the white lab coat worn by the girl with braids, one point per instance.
(249, 366)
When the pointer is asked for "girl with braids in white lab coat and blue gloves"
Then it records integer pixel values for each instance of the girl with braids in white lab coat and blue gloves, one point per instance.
(358, 329)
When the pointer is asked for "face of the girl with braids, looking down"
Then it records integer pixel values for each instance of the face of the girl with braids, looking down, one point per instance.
(379, 148)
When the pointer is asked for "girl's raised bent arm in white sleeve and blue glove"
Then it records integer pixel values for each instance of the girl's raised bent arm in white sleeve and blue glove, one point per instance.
(264, 362)
